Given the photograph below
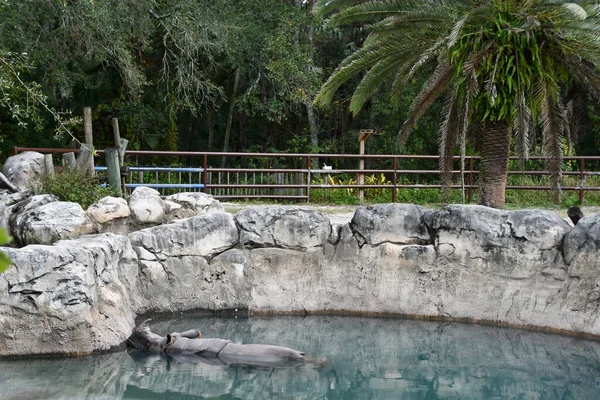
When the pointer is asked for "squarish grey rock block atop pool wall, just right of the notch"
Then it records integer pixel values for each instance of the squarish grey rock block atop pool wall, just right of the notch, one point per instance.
(391, 223)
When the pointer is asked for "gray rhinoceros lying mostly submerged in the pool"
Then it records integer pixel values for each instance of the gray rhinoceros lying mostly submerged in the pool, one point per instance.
(190, 347)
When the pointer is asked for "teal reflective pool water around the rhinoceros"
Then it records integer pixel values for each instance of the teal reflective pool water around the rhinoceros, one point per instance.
(351, 358)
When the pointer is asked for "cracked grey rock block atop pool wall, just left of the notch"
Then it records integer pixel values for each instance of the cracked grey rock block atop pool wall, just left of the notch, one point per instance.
(291, 228)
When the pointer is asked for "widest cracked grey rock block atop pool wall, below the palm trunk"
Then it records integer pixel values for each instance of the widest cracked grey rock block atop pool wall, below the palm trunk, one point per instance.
(516, 244)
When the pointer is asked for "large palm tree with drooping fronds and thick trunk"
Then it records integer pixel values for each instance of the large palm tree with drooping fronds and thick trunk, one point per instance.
(502, 66)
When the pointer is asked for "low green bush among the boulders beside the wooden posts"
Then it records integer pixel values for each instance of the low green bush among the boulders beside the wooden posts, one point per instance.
(75, 186)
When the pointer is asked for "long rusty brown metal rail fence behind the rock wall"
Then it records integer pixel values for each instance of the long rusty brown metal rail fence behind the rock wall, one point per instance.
(287, 176)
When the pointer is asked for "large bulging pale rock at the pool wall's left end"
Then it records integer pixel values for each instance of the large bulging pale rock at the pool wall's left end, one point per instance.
(78, 296)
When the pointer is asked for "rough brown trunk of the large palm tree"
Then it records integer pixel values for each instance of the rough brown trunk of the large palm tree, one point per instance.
(494, 164)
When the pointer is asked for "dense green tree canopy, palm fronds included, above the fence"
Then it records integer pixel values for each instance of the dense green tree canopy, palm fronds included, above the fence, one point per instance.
(242, 76)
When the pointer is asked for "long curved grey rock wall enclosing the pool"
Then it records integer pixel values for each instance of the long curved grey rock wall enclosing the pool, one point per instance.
(524, 268)
